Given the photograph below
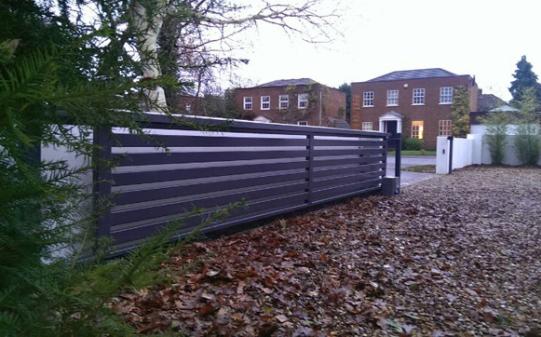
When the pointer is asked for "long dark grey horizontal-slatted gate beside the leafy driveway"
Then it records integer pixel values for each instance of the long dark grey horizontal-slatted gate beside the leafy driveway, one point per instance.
(271, 168)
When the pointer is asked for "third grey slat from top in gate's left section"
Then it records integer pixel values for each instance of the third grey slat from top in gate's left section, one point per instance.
(130, 178)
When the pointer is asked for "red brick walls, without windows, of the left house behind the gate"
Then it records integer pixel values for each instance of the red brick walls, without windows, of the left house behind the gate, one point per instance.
(325, 105)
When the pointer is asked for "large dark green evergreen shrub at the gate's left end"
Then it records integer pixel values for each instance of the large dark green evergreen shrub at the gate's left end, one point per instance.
(55, 69)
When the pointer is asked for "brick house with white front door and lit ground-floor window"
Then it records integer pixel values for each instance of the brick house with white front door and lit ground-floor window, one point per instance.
(416, 103)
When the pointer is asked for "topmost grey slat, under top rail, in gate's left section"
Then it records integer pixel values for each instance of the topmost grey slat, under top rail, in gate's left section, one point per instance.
(129, 140)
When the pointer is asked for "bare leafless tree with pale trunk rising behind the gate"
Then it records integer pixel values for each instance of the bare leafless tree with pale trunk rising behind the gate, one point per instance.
(188, 38)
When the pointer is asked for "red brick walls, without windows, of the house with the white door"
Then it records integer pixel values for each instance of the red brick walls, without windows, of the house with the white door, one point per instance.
(429, 114)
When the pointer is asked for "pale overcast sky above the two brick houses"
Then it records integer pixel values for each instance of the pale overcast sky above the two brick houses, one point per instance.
(477, 37)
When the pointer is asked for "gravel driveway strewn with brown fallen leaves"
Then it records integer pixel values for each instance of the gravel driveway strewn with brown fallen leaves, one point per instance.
(456, 255)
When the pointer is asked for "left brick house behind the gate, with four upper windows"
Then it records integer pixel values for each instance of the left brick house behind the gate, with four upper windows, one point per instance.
(295, 101)
